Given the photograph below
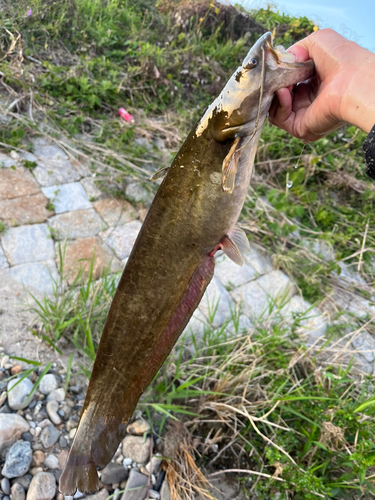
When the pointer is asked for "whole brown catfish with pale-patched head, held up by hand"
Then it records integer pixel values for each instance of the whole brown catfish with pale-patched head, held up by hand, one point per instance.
(192, 216)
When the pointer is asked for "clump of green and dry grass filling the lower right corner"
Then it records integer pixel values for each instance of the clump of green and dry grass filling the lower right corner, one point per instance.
(266, 409)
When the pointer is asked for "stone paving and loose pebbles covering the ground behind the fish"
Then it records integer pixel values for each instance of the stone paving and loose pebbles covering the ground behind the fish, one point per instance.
(47, 199)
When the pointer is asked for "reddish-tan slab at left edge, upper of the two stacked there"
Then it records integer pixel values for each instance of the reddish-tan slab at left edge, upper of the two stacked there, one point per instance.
(15, 183)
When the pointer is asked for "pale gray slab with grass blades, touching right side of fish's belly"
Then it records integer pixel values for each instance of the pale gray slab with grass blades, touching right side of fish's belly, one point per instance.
(217, 304)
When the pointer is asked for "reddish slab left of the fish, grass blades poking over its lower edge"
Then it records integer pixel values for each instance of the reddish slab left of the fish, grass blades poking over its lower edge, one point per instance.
(78, 255)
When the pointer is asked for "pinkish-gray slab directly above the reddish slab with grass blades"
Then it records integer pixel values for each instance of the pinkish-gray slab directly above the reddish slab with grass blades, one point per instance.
(76, 224)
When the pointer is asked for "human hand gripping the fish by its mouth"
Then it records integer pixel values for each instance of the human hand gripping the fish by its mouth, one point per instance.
(343, 89)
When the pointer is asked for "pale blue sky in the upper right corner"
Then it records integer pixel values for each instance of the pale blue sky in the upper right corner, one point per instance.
(353, 19)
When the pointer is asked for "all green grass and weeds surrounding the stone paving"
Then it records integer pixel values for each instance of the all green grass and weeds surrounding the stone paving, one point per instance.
(261, 397)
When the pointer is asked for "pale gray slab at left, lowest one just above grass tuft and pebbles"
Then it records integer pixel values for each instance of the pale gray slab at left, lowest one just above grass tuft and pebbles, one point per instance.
(38, 275)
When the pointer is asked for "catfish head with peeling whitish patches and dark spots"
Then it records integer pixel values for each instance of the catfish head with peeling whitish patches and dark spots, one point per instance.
(244, 102)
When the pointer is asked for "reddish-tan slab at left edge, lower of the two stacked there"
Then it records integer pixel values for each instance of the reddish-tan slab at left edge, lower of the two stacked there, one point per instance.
(25, 210)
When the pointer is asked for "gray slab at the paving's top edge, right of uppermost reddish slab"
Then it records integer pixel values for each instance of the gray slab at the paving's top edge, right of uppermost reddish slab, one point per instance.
(51, 172)
